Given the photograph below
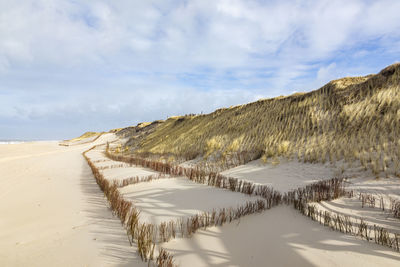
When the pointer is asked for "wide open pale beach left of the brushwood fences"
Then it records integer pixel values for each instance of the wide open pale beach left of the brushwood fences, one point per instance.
(53, 213)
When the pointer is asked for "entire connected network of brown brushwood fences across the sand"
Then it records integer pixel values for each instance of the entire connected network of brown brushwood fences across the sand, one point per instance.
(148, 235)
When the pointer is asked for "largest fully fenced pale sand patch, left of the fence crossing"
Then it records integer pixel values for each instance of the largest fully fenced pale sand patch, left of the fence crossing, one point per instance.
(173, 198)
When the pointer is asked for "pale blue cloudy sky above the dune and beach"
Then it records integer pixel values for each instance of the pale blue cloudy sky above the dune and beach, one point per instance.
(69, 66)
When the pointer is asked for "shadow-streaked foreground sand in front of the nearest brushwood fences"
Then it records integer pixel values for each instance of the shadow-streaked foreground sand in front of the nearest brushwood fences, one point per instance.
(277, 237)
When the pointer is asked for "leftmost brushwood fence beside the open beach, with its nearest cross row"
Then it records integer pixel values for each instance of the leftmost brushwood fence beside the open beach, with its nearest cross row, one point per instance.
(147, 235)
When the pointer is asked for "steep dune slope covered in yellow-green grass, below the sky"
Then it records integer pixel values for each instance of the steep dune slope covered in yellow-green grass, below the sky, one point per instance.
(350, 118)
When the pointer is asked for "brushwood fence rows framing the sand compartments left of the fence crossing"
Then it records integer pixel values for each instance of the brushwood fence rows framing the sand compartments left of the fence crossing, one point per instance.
(147, 235)
